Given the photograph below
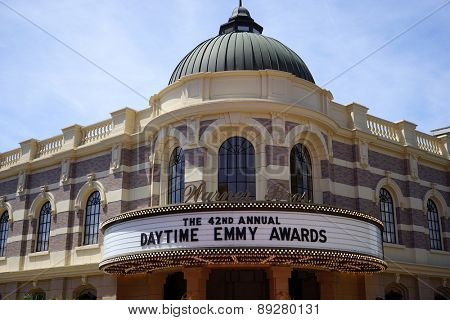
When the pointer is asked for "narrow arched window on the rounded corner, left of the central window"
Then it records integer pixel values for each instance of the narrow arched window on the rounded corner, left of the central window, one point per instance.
(176, 177)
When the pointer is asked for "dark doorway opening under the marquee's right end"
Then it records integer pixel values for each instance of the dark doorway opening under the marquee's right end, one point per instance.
(303, 285)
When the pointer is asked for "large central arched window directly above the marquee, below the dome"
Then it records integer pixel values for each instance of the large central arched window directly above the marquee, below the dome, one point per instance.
(237, 167)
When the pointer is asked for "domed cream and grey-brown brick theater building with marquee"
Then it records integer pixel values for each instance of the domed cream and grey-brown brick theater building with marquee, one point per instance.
(242, 180)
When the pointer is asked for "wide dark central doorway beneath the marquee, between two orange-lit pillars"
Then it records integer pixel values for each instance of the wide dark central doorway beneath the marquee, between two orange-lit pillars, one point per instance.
(224, 284)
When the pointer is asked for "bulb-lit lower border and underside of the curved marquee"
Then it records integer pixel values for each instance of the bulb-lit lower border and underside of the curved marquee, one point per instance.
(328, 260)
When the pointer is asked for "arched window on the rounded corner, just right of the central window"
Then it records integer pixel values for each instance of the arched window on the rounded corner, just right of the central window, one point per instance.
(301, 173)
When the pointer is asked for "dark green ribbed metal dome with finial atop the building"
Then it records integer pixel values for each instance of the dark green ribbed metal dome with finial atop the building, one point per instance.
(241, 46)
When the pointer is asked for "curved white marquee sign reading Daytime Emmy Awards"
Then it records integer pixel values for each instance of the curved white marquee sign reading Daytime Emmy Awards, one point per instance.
(204, 233)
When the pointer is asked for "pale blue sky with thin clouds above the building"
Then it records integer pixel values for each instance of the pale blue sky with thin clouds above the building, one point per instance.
(45, 87)
